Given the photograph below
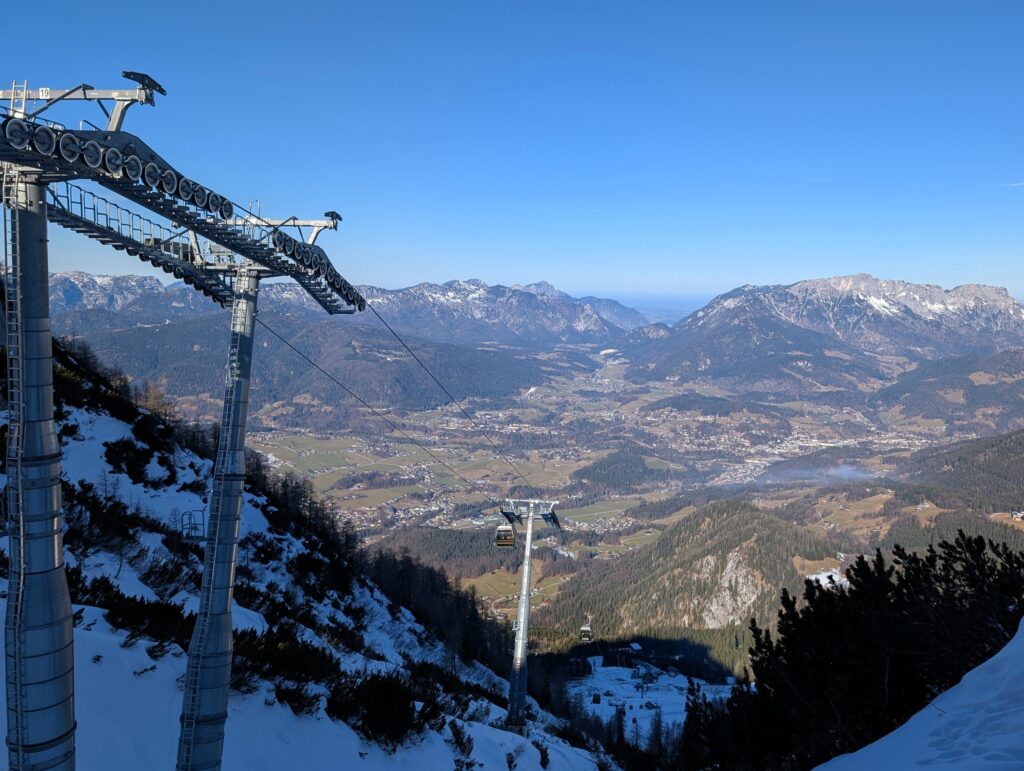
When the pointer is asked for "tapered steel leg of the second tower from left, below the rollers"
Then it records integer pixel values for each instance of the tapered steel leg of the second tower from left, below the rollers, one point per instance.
(208, 676)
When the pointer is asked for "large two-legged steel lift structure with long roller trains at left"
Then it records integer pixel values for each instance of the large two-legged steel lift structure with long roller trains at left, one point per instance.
(215, 246)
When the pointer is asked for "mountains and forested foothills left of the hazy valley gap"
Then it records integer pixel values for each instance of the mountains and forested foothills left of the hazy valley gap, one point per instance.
(481, 339)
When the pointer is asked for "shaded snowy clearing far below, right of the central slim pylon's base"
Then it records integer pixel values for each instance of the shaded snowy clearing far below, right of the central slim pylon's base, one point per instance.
(619, 687)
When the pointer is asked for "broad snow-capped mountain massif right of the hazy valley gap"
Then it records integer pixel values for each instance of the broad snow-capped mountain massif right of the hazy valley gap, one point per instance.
(826, 335)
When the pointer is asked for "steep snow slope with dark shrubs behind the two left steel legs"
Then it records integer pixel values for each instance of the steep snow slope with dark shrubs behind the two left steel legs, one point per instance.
(129, 693)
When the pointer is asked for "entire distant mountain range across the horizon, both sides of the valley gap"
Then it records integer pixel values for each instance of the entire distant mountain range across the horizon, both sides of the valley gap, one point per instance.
(892, 350)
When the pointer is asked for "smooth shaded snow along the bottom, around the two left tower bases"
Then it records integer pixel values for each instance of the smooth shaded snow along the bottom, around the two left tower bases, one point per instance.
(129, 707)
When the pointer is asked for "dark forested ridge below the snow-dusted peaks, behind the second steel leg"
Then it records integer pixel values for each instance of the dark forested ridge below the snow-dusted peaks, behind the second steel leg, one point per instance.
(186, 358)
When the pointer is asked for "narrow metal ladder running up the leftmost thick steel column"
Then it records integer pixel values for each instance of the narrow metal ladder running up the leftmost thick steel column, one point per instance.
(12, 268)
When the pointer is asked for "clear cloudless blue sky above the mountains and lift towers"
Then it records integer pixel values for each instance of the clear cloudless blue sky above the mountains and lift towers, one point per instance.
(620, 148)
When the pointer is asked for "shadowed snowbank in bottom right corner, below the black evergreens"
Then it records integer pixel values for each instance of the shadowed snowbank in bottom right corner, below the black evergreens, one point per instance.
(977, 725)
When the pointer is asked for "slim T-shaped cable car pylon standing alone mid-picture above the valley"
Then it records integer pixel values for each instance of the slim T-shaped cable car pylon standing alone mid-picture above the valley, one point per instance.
(518, 511)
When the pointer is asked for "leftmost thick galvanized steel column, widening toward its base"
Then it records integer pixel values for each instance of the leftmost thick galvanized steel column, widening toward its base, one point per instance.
(38, 630)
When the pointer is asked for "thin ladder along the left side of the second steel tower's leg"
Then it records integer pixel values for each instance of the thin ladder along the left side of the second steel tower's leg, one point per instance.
(190, 715)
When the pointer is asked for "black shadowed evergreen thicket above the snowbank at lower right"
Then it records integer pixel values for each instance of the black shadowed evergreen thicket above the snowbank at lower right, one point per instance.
(847, 665)
